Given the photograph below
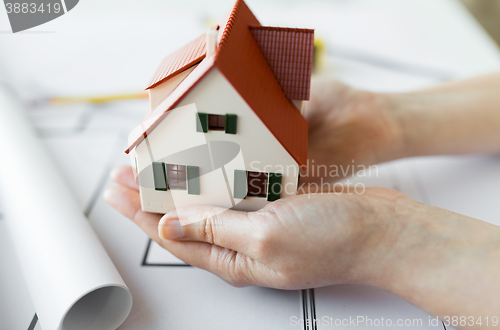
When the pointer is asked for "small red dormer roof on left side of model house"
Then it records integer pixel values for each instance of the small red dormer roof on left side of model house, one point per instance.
(179, 61)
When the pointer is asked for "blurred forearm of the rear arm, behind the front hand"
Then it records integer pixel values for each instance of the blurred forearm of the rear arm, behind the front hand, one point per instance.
(454, 118)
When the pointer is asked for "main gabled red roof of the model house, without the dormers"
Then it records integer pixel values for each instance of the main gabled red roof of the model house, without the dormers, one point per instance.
(239, 58)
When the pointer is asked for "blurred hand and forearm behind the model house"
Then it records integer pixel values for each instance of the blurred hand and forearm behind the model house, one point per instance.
(354, 128)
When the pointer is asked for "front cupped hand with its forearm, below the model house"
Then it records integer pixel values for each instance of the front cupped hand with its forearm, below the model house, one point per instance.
(434, 258)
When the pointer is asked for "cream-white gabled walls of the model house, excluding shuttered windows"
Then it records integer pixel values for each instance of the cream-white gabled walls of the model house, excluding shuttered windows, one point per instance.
(259, 150)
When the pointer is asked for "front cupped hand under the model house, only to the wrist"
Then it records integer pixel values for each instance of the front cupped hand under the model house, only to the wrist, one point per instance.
(303, 241)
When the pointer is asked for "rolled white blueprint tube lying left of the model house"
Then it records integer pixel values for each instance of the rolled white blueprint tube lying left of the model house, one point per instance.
(72, 281)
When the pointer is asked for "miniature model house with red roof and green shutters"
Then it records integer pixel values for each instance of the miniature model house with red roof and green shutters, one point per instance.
(225, 126)
